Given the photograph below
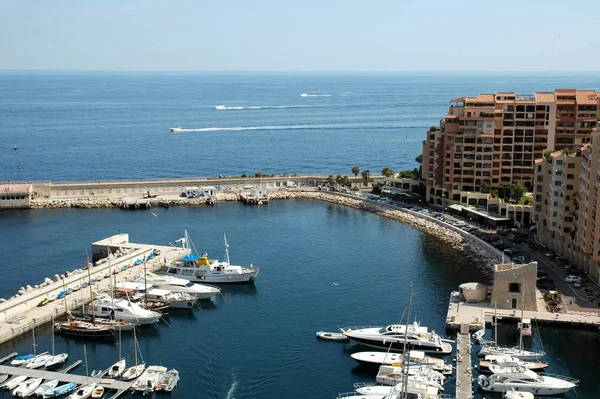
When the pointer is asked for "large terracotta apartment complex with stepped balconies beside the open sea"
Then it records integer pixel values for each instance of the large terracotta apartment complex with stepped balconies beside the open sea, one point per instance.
(492, 140)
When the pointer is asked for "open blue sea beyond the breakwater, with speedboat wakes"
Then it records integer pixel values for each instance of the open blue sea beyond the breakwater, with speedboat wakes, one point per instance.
(99, 126)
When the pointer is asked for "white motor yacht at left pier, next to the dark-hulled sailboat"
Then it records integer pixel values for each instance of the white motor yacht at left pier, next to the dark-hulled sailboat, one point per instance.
(120, 309)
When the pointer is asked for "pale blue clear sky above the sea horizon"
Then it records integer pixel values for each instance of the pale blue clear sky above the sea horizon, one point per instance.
(300, 35)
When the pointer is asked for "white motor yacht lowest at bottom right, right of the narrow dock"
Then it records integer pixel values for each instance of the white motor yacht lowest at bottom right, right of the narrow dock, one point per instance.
(527, 381)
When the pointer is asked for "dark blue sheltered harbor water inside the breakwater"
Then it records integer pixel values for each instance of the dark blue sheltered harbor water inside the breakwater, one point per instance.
(322, 266)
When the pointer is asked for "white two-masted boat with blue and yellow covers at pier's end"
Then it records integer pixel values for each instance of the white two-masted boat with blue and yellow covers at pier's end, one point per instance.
(201, 269)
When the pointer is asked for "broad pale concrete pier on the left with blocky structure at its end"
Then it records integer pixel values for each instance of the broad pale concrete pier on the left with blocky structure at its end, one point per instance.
(21, 313)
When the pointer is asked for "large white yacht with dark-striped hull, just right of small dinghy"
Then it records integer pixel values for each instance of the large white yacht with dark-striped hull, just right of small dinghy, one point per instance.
(392, 338)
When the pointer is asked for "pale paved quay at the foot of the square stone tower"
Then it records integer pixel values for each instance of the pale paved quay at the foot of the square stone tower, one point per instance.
(477, 315)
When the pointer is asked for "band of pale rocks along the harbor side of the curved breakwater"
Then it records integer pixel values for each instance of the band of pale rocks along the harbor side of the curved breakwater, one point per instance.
(472, 248)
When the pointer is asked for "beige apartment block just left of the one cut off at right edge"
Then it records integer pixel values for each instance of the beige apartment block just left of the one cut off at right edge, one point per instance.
(555, 196)
